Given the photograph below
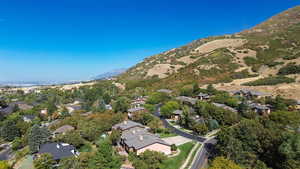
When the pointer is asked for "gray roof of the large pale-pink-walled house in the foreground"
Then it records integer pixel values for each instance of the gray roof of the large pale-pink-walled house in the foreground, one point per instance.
(139, 138)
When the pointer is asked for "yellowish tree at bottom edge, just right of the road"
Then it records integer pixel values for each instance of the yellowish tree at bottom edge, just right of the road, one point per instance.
(223, 163)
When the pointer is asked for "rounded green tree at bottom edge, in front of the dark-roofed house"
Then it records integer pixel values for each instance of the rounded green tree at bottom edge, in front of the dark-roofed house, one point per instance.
(45, 161)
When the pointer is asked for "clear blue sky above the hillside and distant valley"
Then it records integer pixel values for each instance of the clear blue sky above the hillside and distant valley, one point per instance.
(76, 39)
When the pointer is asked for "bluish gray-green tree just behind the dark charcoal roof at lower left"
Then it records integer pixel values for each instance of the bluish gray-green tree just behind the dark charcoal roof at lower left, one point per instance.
(37, 136)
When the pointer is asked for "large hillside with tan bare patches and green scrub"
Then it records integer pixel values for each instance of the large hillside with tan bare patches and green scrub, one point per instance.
(258, 52)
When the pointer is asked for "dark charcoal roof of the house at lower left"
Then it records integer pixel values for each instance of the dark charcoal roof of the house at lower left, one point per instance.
(57, 150)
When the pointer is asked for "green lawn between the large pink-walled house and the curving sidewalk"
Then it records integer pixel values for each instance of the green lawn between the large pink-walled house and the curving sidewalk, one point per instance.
(177, 161)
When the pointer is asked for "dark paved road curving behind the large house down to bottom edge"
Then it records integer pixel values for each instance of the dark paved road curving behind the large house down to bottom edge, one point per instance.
(201, 155)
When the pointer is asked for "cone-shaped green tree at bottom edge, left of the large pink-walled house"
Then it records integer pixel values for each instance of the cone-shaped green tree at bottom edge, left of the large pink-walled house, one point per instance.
(105, 158)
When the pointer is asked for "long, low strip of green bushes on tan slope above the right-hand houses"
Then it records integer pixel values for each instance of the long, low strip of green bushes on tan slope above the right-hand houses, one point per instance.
(270, 81)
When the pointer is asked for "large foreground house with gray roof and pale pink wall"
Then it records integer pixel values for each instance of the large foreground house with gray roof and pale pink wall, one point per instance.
(139, 140)
